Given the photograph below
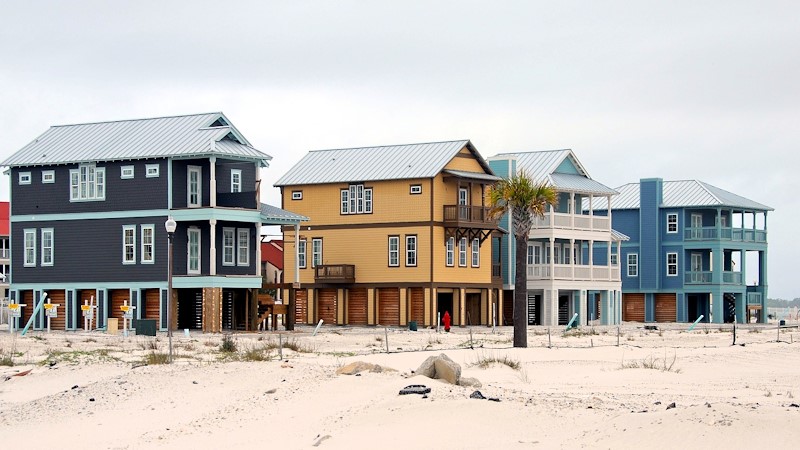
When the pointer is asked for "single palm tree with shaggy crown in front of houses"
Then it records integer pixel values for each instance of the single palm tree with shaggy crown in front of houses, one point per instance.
(525, 200)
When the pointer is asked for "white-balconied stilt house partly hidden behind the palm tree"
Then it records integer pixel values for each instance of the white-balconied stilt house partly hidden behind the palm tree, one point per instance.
(572, 260)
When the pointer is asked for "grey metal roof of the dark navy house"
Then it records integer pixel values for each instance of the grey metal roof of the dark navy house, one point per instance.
(196, 135)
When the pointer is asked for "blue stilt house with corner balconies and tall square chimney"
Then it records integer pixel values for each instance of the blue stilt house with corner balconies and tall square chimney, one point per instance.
(688, 251)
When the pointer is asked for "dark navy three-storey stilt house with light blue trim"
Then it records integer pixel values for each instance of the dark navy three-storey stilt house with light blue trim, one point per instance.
(89, 204)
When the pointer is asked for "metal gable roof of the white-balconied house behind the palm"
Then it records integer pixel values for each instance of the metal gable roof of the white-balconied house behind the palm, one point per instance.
(543, 166)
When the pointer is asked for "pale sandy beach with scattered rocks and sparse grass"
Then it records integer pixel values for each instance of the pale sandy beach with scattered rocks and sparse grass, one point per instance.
(588, 388)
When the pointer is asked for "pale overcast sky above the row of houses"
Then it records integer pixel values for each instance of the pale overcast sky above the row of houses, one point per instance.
(678, 90)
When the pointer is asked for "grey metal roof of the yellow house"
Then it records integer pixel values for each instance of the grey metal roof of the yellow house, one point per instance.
(390, 162)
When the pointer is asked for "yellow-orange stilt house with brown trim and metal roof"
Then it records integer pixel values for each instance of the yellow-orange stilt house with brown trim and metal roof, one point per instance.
(396, 234)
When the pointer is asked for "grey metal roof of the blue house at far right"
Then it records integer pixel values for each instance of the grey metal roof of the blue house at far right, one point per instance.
(682, 194)
